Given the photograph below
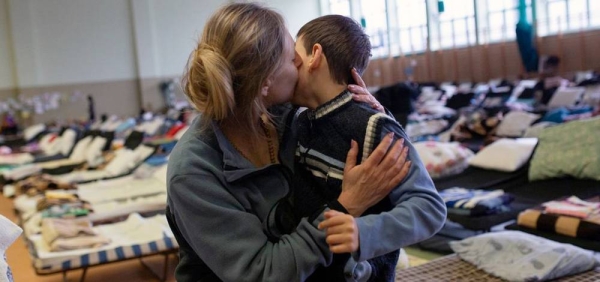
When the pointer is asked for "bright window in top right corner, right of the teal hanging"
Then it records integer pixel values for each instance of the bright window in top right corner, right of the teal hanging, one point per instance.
(557, 16)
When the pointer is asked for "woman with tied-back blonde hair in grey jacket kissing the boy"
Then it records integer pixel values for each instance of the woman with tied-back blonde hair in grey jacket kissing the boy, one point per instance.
(234, 163)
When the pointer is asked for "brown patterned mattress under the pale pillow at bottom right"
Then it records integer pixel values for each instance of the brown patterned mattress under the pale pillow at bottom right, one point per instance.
(452, 268)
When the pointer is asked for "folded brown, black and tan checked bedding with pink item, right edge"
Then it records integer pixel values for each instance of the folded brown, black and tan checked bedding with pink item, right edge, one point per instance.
(555, 221)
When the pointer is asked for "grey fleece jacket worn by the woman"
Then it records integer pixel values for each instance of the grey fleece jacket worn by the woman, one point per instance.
(218, 204)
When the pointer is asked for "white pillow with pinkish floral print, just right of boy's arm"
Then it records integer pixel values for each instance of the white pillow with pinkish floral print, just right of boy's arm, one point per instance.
(443, 159)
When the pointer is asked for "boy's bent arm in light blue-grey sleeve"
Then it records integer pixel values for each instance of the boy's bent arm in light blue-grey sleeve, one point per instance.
(418, 213)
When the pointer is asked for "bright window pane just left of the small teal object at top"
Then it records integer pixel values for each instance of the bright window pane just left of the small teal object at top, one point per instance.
(408, 28)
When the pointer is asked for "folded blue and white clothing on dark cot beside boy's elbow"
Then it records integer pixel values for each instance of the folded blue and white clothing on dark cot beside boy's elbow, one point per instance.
(472, 202)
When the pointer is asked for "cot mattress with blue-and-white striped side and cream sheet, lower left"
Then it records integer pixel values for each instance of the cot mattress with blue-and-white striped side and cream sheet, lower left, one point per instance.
(133, 238)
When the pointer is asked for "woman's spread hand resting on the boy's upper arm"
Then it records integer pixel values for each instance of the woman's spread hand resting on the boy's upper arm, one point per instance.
(366, 184)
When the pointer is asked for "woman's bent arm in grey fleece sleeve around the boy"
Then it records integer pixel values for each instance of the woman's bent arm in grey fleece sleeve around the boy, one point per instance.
(231, 241)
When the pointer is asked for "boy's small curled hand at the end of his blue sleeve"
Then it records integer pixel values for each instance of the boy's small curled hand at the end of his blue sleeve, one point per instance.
(342, 232)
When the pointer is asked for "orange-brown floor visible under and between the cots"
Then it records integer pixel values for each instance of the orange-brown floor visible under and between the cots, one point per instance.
(131, 270)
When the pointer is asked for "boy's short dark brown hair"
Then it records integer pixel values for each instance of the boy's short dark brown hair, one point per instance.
(344, 43)
